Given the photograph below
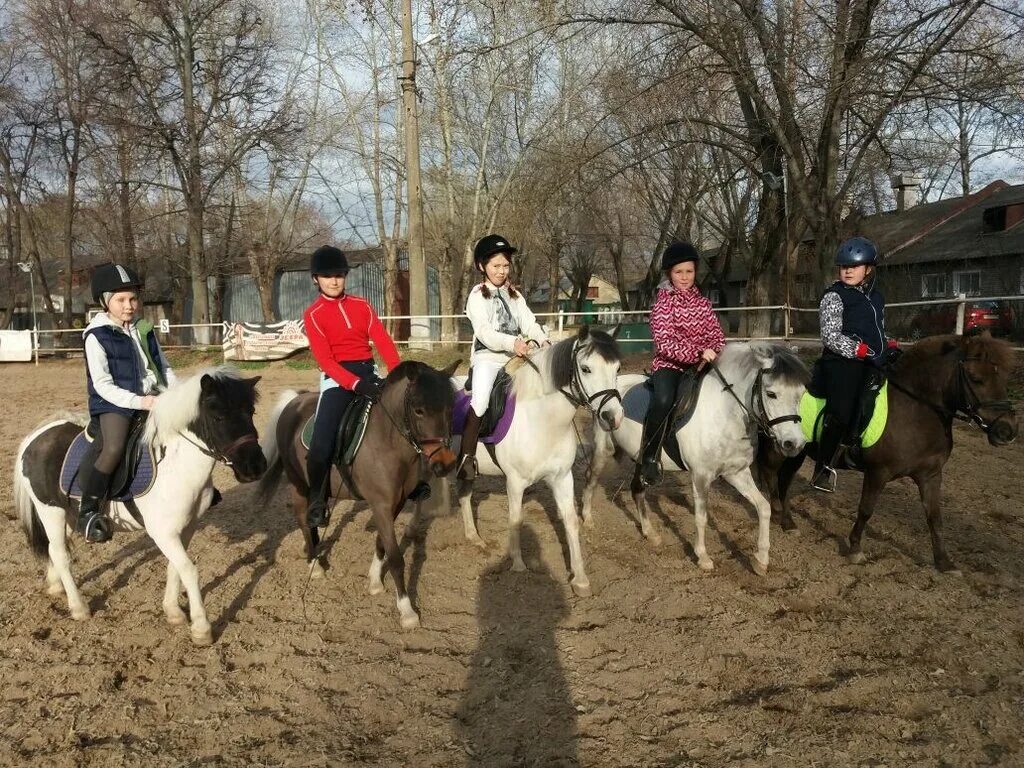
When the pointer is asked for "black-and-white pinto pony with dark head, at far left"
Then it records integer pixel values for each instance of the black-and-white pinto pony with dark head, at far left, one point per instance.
(196, 423)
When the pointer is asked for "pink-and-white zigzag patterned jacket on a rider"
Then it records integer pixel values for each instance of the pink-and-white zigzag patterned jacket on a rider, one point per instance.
(684, 325)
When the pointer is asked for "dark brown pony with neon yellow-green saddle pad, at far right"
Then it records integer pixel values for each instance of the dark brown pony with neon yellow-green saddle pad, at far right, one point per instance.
(938, 380)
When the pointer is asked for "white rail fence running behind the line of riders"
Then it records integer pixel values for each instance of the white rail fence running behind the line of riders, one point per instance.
(560, 322)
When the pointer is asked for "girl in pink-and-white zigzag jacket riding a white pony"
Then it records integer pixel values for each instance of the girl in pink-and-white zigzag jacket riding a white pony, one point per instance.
(688, 336)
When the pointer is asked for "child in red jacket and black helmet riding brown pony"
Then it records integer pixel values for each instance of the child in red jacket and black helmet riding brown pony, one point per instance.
(340, 329)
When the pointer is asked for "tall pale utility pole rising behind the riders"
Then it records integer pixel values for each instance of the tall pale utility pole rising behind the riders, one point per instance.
(419, 327)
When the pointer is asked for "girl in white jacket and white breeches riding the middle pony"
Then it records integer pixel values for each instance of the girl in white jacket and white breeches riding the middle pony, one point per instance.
(503, 328)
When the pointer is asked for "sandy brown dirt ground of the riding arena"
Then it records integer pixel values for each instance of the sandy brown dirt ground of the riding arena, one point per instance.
(820, 664)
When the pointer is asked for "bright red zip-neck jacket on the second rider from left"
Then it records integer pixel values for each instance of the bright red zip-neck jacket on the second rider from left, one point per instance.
(340, 331)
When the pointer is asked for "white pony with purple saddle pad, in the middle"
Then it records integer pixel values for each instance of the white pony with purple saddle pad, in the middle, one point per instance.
(541, 444)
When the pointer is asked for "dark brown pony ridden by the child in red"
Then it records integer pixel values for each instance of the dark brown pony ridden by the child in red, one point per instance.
(412, 422)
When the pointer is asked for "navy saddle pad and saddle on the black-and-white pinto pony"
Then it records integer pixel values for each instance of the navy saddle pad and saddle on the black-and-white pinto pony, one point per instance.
(134, 477)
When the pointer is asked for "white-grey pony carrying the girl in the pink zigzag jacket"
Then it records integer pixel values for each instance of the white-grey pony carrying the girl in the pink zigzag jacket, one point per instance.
(755, 388)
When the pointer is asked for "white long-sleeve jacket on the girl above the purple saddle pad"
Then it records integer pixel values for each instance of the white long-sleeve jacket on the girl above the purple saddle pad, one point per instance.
(498, 321)
